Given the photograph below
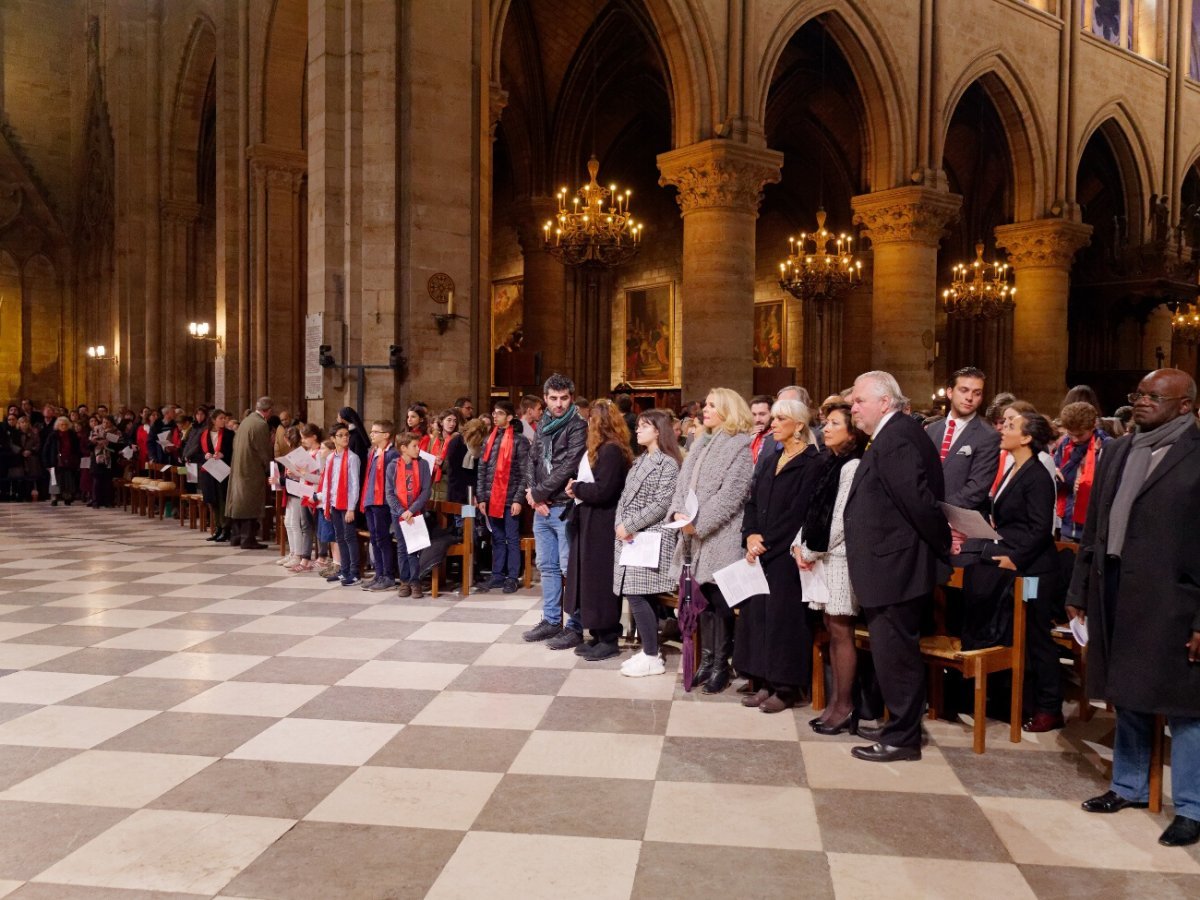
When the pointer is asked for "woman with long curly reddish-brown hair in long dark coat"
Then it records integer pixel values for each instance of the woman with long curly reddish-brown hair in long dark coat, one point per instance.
(590, 567)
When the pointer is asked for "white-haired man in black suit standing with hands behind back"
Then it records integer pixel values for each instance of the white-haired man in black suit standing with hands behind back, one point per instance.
(896, 533)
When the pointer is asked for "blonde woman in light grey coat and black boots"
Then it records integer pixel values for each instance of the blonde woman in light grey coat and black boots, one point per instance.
(718, 469)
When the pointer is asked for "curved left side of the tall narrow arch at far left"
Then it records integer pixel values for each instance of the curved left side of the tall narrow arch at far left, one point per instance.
(188, 111)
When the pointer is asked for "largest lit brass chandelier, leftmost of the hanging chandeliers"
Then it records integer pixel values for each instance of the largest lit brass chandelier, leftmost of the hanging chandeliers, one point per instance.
(597, 229)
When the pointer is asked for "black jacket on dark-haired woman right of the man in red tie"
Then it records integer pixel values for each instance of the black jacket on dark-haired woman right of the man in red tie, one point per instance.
(1023, 513)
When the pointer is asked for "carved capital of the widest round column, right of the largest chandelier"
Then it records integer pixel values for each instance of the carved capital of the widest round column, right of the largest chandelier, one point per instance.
(719, 175)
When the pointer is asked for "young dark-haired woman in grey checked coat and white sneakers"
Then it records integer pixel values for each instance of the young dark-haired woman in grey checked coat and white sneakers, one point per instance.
(643, 508)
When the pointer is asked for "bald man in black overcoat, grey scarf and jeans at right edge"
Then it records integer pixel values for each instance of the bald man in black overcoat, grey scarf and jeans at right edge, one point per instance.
(1137, 581)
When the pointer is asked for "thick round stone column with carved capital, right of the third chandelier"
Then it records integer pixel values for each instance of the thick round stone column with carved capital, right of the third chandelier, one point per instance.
(1041, 254)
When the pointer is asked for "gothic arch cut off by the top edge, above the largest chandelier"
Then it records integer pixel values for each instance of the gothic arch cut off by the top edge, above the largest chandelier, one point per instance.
(687, 44)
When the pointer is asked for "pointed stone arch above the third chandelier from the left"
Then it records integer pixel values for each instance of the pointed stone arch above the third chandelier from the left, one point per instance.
(1023, 127)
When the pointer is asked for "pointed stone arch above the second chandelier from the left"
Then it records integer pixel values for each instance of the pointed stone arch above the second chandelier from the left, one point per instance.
(872, 61)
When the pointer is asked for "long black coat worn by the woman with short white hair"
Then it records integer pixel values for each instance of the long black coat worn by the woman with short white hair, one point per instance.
(773, 638)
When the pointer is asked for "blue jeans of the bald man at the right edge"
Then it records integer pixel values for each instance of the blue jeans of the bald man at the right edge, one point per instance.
(1131, 760)
